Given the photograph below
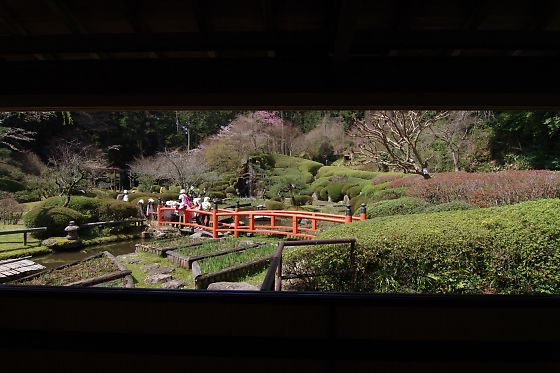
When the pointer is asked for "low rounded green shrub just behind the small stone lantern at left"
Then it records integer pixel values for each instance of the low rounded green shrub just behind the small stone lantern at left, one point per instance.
(54, 218)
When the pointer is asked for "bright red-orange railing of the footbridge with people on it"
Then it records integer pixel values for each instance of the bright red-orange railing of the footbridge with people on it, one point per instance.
(259, 221)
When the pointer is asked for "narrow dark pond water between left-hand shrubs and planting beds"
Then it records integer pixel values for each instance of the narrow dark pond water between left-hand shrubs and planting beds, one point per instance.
(60, 258)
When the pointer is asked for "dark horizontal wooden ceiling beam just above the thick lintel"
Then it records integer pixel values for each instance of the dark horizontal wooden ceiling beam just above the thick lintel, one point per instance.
(295, 44)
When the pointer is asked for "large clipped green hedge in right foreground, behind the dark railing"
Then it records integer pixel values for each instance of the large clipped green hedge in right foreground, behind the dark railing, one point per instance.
(502, 250)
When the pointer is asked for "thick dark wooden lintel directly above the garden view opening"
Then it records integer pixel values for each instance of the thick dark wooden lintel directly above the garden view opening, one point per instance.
(397, 82)
